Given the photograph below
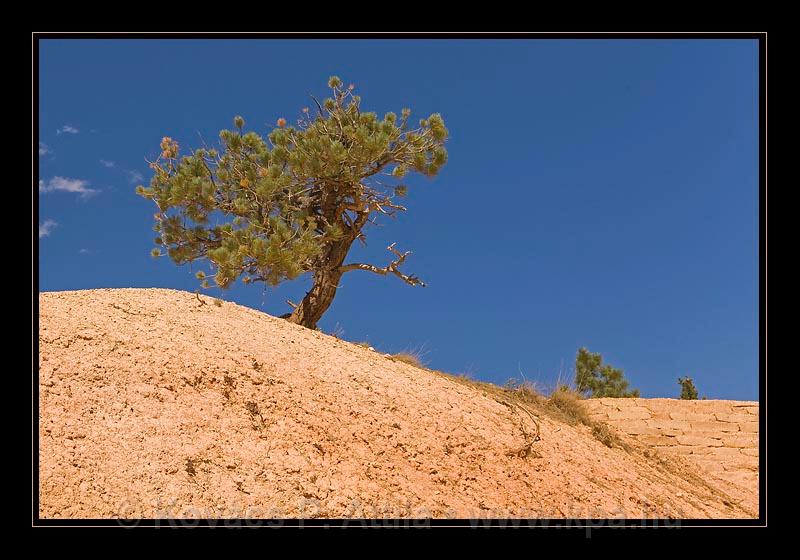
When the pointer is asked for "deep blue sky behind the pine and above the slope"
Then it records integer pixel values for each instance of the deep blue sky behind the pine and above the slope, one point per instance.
(598, 193)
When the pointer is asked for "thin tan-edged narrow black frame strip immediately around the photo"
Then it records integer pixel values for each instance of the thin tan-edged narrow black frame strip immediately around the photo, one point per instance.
(582, 524)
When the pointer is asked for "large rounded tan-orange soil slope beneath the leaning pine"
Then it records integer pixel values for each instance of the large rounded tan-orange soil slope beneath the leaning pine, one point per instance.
(152, 405)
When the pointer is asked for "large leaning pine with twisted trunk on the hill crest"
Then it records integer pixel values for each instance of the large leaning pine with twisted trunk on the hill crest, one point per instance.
(270, 210)
